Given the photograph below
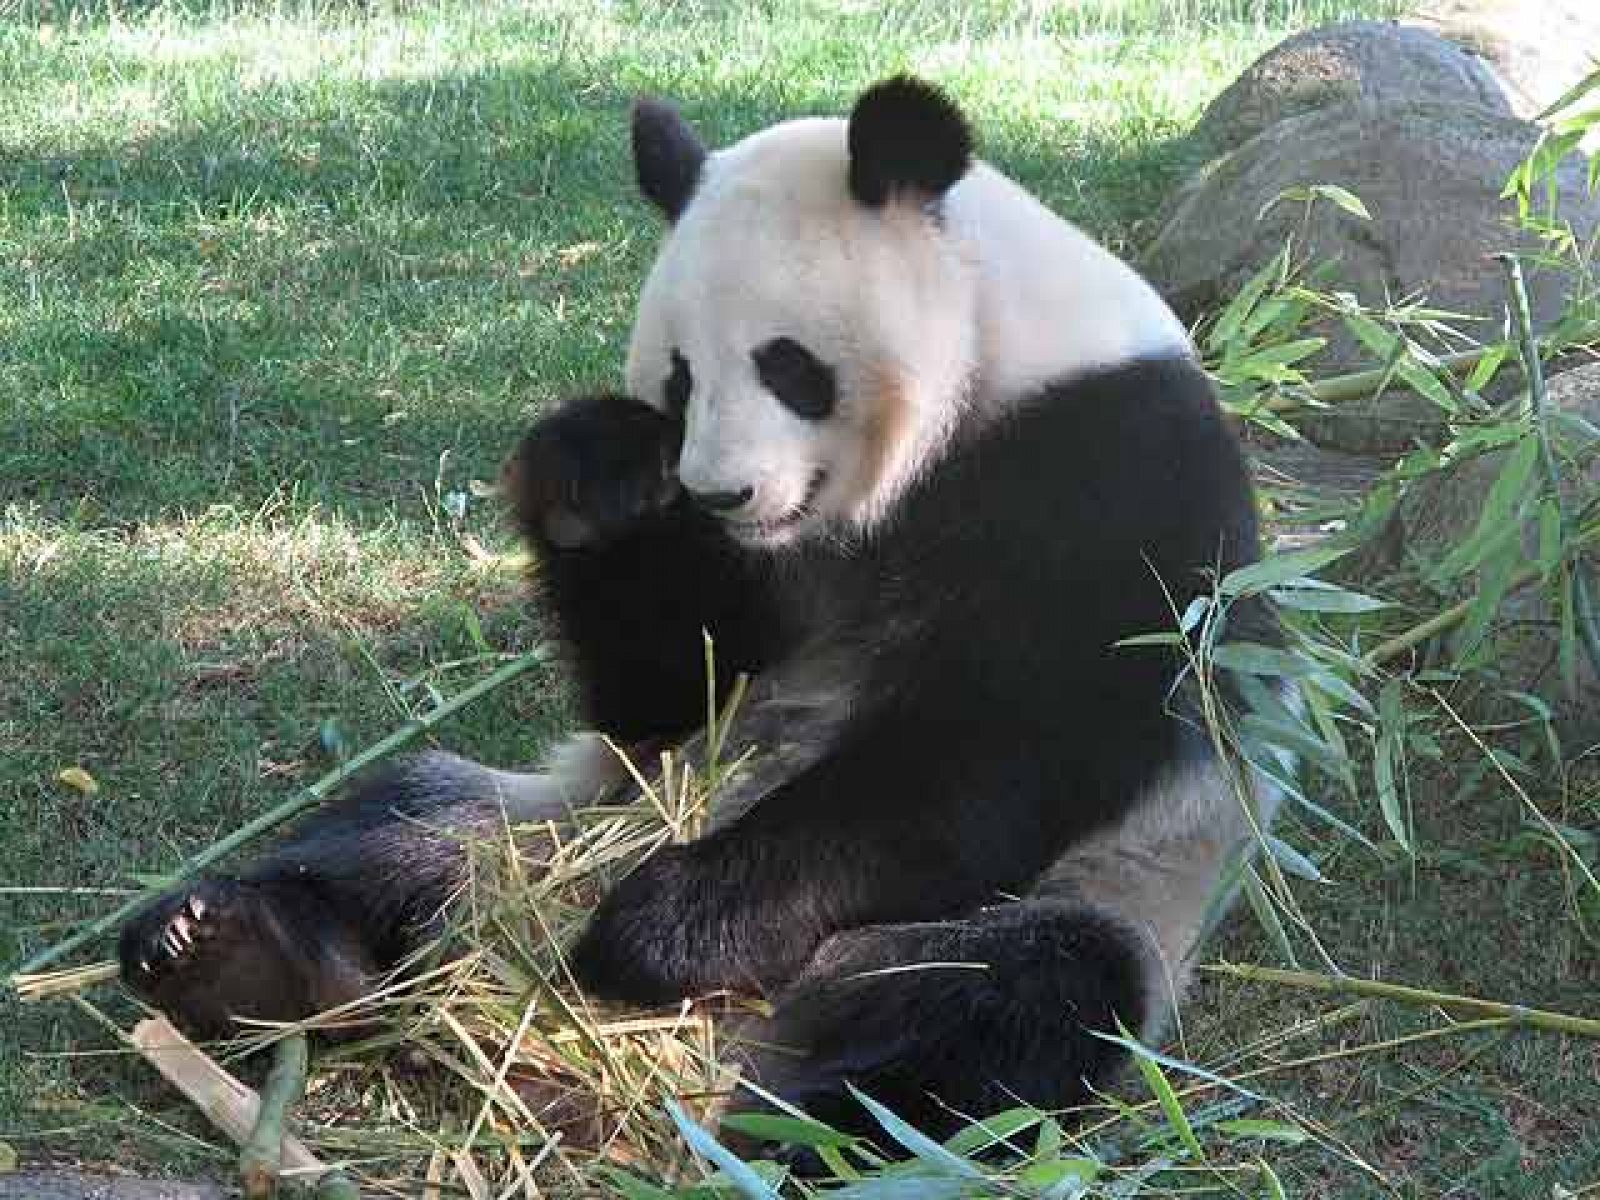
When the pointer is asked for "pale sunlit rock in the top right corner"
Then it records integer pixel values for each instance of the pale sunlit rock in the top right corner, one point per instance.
(1538, 49)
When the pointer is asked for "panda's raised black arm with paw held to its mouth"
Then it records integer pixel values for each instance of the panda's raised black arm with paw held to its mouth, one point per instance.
(634, 575)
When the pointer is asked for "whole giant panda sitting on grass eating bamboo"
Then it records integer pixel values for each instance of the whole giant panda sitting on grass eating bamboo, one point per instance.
(921, 458)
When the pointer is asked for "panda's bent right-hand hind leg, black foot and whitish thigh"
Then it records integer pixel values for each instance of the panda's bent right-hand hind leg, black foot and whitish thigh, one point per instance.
(959, 1020)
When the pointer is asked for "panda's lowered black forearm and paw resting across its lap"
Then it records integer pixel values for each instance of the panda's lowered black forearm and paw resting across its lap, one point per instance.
(908, 823)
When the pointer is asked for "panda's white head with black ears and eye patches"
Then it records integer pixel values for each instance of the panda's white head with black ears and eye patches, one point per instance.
(810, 318)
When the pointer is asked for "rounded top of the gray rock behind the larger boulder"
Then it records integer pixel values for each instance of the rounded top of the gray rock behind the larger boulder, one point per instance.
(1374, 62)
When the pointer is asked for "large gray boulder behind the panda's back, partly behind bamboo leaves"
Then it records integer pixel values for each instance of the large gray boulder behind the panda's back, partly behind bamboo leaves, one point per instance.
(1430, 175)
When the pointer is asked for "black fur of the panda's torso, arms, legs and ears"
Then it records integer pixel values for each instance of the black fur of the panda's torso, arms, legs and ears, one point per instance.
(993, 727)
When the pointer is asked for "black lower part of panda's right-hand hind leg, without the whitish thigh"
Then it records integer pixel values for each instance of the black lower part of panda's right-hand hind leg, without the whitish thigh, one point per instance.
(953, 1022)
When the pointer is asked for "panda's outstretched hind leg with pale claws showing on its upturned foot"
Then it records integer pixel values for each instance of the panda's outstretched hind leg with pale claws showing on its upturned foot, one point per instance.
(351, 895)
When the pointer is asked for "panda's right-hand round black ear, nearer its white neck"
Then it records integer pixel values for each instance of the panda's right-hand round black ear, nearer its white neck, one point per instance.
(906, 137)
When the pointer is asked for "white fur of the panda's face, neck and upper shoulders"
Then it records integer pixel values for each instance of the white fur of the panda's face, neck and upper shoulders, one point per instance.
(927, 319)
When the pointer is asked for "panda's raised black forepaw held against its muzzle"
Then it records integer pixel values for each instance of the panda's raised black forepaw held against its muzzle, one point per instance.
(593, 470)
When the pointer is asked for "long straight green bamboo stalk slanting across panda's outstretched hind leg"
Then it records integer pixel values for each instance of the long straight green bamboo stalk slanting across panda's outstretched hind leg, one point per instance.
(290, 809)
